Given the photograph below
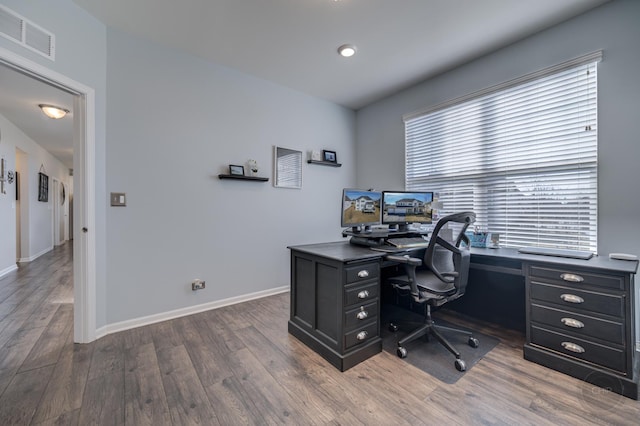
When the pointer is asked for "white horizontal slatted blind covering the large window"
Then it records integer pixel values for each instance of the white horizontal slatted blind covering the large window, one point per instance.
(523, 156)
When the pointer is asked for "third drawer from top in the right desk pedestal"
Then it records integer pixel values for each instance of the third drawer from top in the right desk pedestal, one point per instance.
(581, 325)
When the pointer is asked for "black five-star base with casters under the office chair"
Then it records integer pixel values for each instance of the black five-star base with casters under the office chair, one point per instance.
(430, 329)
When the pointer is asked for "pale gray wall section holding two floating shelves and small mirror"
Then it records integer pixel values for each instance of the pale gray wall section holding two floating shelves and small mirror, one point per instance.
(174, 123)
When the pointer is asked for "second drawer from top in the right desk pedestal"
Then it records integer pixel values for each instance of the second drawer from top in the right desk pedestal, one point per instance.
(579, 300)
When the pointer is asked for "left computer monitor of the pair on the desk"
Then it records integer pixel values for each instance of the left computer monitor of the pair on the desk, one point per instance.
(360, 209)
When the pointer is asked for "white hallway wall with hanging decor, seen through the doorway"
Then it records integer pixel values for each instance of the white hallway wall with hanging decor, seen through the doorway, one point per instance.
(37, 236)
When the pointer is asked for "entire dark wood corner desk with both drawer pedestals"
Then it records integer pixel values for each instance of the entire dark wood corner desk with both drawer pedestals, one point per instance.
(578, 315)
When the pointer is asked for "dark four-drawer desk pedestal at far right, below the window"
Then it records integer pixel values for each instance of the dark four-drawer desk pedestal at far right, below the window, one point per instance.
(580, 321)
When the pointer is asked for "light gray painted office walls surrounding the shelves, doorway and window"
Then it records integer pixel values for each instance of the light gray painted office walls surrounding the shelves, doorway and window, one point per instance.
(168, 123)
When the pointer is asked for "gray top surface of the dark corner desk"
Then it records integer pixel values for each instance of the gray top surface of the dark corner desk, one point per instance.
(345, 252)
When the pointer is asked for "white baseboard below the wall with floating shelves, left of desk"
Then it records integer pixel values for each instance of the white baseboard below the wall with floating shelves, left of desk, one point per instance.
(190, 310)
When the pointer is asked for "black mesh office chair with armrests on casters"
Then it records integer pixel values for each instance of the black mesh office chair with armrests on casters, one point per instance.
(444, 279)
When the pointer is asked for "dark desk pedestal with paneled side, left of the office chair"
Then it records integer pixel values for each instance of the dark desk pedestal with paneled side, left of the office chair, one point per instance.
(335, 303)
